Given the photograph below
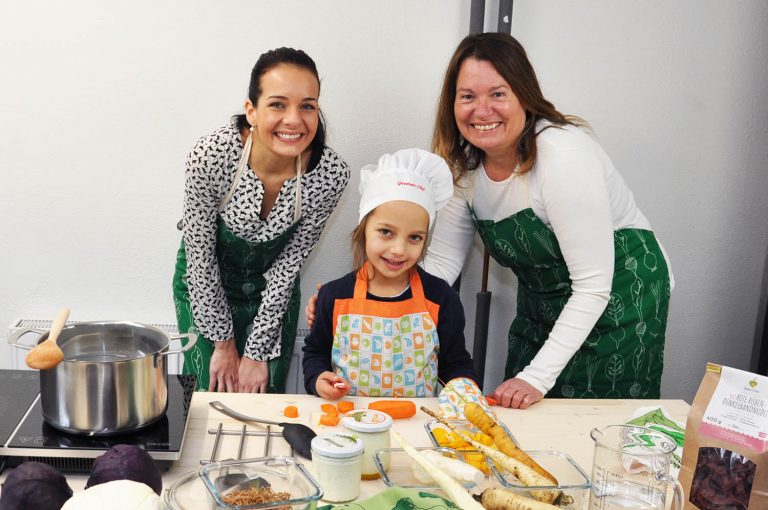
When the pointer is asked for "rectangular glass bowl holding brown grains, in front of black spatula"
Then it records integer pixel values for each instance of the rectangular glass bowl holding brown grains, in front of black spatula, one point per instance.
(280, 474)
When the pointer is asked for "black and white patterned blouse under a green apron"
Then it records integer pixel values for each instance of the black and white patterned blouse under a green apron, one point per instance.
(211, 166)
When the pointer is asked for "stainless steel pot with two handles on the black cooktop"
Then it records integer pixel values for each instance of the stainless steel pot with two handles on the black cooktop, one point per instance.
(114, 377)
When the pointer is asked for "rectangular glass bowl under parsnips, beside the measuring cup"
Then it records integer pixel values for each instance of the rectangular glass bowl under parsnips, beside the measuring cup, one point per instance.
(573, 482)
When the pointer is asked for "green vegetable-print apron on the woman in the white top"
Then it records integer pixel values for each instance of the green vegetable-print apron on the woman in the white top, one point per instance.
(623, 355)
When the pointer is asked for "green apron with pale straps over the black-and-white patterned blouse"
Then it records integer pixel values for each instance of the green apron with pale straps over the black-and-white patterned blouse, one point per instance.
(242, 265)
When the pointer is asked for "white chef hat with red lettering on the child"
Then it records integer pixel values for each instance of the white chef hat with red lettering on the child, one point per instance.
(412, 175)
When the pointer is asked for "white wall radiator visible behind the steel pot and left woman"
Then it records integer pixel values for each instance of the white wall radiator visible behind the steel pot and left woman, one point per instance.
(294, 384)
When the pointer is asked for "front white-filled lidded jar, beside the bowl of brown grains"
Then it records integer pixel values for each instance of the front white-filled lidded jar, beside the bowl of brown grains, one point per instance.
(336, 459)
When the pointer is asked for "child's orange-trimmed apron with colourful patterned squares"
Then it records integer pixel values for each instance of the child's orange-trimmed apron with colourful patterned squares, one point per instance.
(385, 348)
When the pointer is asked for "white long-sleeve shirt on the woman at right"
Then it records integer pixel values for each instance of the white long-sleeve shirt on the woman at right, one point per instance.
(577, 192)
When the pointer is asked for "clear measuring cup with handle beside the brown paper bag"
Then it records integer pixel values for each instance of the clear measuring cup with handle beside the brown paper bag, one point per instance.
(631, 469)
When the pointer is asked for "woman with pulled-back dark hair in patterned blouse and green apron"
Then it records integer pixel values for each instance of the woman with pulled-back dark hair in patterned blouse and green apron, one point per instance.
(258, 193)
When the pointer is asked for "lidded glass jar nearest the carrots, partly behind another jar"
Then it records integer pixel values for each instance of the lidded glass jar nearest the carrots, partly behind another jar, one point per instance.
(373, 428)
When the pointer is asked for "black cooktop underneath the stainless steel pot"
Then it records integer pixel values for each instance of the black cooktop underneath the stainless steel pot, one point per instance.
(26, 436)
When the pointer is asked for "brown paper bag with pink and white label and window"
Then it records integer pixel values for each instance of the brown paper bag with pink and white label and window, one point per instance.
(725, 457)
